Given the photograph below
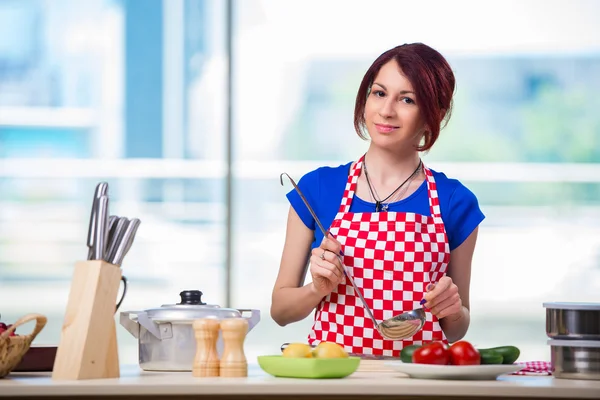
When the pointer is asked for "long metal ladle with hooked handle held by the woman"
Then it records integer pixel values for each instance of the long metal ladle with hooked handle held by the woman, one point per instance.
(401, 326)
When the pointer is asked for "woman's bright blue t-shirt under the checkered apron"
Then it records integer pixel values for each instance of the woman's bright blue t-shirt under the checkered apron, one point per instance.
(324, 189)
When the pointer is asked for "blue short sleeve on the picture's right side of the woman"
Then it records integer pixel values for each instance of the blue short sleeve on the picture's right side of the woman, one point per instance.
(464, 216)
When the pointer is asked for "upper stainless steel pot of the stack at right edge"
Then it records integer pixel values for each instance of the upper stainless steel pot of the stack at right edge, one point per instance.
(579, 321)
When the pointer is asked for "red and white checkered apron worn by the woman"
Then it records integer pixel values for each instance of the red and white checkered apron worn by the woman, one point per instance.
(392, 257)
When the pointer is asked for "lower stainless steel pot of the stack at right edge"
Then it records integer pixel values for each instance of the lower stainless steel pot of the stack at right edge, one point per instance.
(575, 359)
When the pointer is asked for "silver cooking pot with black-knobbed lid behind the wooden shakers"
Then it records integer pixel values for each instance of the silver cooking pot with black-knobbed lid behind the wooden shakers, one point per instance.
(165, 335)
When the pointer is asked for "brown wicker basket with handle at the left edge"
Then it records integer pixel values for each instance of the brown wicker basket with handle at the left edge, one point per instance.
(13, 348)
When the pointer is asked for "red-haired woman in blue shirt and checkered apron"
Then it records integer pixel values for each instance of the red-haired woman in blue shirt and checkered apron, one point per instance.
(406, 232)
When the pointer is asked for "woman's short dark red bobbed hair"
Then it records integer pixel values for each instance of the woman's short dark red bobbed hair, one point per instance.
(432, 80)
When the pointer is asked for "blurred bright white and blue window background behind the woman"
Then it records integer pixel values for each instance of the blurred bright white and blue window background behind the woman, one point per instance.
(138, 93)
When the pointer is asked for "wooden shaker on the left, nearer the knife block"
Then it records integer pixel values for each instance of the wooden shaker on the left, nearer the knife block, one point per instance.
(206, 360)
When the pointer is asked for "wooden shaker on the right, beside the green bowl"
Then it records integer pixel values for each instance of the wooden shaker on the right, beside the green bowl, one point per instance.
(233, 361)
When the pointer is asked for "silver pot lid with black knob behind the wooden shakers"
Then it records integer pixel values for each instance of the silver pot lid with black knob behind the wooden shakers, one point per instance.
(190, 308)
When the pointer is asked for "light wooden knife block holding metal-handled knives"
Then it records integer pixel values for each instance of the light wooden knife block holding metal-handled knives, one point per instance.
(88, 343)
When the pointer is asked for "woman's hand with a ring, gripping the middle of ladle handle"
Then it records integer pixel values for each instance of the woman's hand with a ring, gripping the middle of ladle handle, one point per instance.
(325, 266)
